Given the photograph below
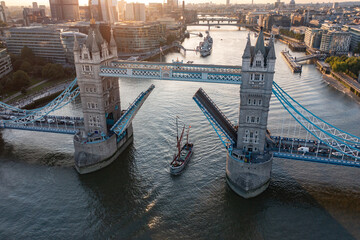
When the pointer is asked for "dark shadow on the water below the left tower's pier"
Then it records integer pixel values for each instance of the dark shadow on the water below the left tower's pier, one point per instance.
(119, 198)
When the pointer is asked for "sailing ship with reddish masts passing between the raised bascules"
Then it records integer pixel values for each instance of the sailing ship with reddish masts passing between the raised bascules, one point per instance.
(183, 154)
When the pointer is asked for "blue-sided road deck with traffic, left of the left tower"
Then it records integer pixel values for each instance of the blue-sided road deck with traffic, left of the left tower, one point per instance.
(49, 123)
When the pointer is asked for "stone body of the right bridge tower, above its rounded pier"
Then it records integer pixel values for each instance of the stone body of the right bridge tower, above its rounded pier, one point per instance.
(255, 93)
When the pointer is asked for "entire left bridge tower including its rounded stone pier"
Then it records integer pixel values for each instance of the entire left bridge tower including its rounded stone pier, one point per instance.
(95, 146)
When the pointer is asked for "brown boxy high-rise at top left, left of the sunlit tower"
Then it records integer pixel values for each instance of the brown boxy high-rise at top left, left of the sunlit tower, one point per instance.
(64, 10)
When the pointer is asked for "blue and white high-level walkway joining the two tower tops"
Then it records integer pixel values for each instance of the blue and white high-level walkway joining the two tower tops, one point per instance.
(177, 71)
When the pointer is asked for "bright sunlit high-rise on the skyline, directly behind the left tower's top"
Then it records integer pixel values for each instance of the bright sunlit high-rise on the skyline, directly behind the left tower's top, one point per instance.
(104, 10)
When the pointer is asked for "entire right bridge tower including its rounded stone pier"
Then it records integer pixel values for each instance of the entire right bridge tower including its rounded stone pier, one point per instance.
(248, 168)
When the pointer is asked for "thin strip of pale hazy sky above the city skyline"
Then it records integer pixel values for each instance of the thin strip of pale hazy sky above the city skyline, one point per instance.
(84, 2)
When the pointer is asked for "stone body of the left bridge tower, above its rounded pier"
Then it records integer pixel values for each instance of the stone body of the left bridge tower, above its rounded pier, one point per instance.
(100, 96)
